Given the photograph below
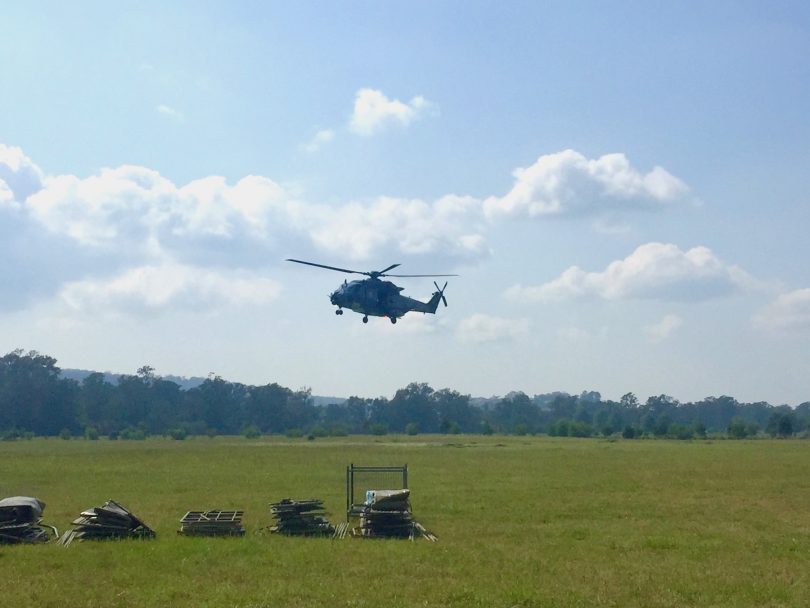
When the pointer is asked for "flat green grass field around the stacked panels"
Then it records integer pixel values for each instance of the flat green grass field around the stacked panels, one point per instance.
(521, 521)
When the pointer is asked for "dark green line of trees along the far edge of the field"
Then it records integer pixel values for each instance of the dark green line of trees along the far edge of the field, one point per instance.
(36, 400)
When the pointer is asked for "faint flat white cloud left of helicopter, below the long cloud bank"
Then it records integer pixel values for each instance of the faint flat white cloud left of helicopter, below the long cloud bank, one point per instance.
(150, 289)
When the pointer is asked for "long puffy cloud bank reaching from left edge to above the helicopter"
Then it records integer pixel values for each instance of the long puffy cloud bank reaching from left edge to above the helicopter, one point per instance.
(59, 229)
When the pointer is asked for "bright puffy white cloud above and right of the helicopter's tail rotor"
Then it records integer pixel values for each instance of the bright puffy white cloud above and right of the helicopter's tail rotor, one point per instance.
(568, 183)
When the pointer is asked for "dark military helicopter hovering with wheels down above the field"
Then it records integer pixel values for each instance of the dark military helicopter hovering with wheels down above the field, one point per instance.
(378, 298)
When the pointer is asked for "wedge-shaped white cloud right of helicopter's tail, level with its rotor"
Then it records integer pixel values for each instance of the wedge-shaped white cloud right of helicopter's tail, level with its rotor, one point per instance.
(652, 271)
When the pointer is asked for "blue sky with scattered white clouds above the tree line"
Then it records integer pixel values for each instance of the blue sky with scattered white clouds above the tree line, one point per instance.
(622, 188)
